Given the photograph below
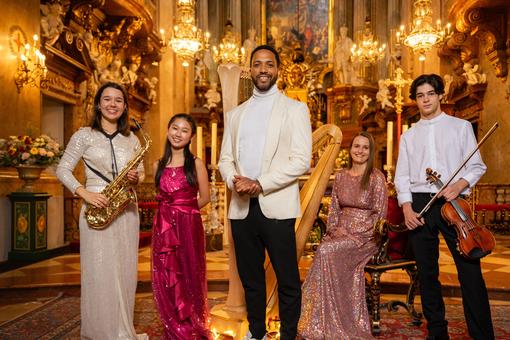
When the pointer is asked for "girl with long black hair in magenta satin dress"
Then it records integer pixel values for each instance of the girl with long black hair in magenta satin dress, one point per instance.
(178, 247)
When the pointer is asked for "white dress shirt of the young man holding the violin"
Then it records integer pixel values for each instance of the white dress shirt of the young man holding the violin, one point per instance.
(442, 144)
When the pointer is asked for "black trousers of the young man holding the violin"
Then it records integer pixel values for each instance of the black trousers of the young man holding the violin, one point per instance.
(425, 243)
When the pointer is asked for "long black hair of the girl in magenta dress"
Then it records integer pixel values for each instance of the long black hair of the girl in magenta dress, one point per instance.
(189, 158)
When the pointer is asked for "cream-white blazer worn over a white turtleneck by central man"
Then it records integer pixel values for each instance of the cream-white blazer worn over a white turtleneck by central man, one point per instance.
(286, 156)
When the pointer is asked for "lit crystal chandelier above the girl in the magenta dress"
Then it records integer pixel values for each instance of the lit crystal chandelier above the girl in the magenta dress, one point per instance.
(187, 39)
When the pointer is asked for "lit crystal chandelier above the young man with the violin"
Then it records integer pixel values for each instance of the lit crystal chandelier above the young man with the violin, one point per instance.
(423, 35)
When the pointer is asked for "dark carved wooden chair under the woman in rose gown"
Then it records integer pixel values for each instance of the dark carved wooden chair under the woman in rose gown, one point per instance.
(391, 239)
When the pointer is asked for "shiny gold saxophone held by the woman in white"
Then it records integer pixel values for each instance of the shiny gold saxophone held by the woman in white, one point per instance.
(118, 192)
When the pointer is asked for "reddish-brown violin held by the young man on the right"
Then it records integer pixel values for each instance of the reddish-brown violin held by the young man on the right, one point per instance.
(473, 240)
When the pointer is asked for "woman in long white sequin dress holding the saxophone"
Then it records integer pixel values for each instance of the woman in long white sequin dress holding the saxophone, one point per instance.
(108, 257)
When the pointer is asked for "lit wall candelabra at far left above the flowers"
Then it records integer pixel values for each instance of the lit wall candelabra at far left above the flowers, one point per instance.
(31, 69)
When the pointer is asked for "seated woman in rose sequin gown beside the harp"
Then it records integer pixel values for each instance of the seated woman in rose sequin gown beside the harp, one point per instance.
(333, 303)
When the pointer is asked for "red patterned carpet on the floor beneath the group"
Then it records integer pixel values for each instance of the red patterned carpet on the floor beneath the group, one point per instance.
(60, 319)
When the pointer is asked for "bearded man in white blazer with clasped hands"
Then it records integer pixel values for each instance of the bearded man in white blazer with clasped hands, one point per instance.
(267, 145)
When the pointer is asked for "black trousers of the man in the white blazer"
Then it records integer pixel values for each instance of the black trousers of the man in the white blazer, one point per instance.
(251, 237)
